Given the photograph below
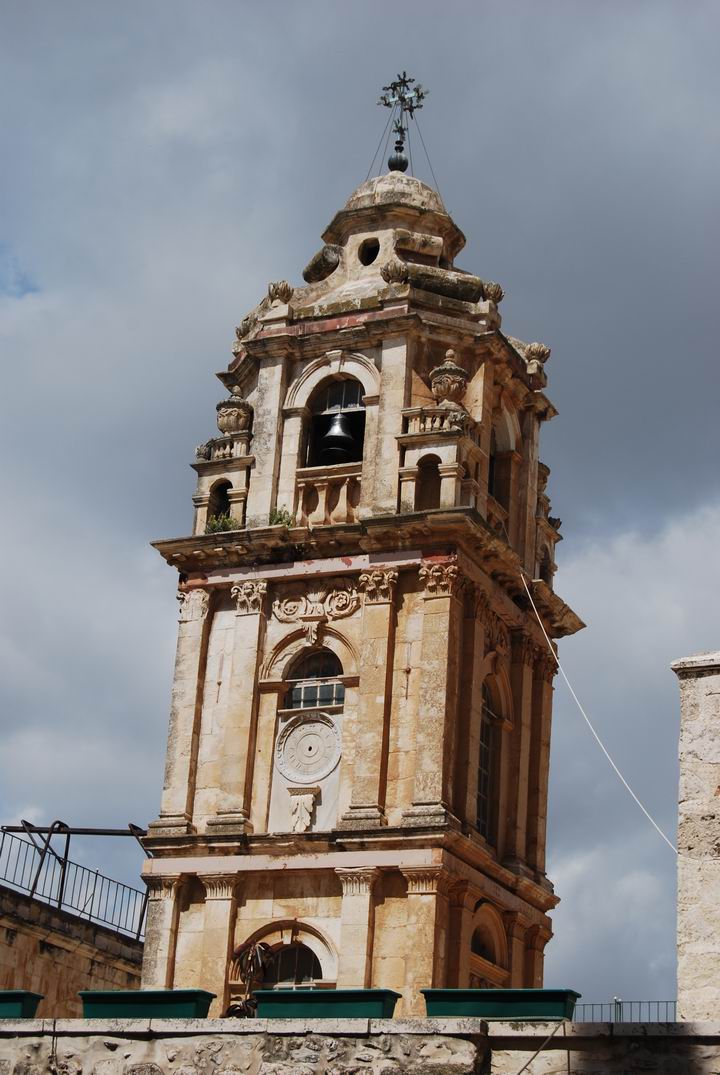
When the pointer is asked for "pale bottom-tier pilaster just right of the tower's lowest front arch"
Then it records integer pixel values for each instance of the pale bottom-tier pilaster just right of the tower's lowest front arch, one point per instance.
(357, 926)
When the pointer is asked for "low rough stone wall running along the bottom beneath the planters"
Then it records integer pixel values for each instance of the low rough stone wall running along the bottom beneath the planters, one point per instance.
(351, 1047)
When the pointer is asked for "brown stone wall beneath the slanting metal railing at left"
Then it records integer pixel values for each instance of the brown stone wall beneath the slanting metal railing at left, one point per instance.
(55, 954)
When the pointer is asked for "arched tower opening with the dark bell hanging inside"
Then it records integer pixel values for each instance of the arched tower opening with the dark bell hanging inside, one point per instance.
(338, 424)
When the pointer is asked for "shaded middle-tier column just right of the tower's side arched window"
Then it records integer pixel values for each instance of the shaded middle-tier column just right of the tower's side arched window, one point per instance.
(523, 655)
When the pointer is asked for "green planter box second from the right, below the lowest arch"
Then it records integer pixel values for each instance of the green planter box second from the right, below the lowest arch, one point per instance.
(326, 1004)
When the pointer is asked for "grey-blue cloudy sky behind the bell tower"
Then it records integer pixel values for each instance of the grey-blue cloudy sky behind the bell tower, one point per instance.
(162, 163)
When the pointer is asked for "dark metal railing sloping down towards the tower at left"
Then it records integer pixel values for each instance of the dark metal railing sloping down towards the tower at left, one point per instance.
(38, 870)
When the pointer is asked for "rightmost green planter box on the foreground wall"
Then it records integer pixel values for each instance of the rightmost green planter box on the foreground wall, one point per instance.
(510, 1005)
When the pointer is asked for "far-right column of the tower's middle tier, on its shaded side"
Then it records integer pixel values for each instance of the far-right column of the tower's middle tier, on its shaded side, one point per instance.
(544, 671)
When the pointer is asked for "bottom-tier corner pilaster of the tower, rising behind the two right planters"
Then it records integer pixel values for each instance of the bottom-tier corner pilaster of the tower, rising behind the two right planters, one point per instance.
(427, 934)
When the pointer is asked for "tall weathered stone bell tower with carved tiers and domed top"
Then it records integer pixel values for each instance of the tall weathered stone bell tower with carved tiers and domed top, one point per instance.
(358, 754)
